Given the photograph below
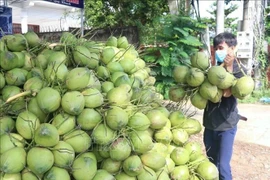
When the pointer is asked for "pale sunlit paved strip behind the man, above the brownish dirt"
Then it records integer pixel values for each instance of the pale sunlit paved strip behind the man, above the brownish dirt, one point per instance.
(257, 128)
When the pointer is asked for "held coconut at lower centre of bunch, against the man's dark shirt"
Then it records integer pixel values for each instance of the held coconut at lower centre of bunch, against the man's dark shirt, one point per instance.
(208, 90)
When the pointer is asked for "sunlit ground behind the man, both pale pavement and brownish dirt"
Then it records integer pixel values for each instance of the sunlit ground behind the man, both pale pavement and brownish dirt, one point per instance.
(251, 157)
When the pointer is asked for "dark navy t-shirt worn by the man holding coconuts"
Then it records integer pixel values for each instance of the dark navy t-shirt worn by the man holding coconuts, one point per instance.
(223, 115)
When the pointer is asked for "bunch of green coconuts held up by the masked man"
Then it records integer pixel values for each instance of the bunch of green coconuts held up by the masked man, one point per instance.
(202, 82)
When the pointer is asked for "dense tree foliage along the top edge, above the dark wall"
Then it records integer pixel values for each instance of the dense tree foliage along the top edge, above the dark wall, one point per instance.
(112, 13)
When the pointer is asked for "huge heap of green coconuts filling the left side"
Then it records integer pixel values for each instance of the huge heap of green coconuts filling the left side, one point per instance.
(79, 109)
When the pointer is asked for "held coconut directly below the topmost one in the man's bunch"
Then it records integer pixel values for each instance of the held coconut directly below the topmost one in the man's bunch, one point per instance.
(195, 77)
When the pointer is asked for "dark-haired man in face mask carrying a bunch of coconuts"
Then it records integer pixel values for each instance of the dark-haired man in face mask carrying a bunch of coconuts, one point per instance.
(220, 119)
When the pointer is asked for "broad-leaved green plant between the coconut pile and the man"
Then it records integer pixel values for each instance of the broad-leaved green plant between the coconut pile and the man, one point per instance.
(180, 37)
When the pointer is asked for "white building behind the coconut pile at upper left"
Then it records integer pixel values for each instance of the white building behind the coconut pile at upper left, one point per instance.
(42, 15)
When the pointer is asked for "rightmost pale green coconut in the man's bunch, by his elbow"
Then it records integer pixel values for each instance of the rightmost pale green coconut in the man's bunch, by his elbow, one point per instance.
(243, 87)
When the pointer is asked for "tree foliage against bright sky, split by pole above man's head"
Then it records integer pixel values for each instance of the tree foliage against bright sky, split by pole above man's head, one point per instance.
(230, 23)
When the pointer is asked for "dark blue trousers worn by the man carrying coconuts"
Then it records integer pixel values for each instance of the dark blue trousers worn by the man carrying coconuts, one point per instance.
(219, 149)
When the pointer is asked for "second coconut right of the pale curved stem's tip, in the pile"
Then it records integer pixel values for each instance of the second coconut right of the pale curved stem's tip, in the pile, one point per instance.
(73, 102)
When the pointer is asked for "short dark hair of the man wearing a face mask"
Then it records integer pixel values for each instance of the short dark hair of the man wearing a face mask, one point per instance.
(226, 37)
